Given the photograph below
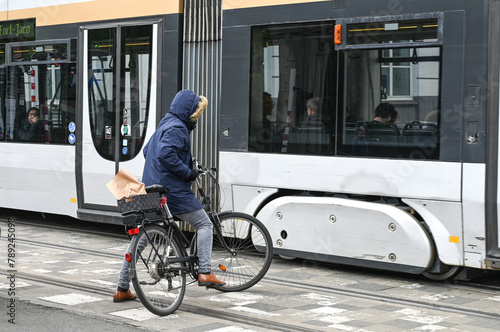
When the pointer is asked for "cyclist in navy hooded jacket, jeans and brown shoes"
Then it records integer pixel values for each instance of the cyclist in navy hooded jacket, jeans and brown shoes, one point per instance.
(168, 162)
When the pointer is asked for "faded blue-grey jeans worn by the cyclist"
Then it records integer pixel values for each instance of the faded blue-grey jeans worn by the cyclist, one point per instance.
(200, 221)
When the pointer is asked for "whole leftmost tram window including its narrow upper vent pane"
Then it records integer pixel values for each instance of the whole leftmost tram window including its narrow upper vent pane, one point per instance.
(45, 83)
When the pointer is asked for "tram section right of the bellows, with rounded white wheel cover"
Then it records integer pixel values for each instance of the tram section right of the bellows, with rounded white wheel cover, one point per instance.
(416, 194)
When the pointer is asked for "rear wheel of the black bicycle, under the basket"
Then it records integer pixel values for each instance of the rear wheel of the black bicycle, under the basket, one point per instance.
(160, 286)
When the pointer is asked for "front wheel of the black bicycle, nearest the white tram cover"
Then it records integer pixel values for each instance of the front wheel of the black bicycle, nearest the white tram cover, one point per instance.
(242, 252)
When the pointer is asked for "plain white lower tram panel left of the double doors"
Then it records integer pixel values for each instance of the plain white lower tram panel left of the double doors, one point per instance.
(45, 178)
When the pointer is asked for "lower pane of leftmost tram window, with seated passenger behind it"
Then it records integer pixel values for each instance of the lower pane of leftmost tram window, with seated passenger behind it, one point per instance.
(40, 102)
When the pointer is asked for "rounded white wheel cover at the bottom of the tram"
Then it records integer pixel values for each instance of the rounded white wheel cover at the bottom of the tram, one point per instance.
(351, 229)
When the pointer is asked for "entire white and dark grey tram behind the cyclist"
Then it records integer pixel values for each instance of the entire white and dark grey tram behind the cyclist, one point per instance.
(294, 125)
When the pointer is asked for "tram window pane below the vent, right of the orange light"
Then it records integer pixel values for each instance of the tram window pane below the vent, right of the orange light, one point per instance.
(377, 82)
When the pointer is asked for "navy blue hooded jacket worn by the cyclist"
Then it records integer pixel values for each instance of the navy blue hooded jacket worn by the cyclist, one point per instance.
(168, 154)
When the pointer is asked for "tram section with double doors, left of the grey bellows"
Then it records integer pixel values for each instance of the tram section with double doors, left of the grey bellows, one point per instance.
(99, 76)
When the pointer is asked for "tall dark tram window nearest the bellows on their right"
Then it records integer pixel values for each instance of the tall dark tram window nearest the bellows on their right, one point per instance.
(291, 66)
